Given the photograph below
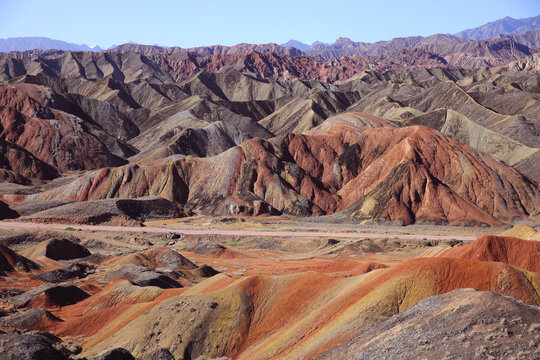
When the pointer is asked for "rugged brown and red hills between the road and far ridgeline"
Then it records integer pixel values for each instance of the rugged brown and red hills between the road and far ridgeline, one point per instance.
(140, 126)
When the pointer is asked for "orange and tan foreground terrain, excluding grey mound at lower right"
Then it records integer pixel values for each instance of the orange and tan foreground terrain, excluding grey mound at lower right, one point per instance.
(194, 279)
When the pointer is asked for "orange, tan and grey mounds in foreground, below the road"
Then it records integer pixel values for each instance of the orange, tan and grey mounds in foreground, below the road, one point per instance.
(329, 307)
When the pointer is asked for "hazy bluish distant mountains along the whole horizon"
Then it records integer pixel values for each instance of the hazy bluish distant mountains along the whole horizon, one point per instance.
(524, 32)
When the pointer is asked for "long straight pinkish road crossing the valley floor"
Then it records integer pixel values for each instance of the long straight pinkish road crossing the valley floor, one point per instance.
(11, 225)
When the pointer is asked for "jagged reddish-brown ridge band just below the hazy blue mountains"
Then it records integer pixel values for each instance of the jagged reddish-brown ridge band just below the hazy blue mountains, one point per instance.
(176, 63)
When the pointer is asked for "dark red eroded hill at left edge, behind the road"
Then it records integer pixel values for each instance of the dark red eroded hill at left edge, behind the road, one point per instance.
(34, 132)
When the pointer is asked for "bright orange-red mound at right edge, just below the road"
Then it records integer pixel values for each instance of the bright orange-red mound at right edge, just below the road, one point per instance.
(524, 254)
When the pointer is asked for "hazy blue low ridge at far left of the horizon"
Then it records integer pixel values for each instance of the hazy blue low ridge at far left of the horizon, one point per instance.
(41, 43)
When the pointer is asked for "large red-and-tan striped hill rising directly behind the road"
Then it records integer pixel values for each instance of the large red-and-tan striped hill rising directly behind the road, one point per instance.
(400, 175)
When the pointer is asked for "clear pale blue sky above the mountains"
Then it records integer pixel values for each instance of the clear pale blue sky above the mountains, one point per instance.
(198, 23)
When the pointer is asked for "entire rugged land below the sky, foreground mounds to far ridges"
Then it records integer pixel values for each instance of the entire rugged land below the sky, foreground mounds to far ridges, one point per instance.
(258, 201)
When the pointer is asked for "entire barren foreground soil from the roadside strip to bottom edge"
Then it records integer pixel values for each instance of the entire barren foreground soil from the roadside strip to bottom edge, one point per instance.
(260, 297)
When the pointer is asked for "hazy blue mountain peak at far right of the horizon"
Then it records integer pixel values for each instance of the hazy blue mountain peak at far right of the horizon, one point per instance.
(506, 25)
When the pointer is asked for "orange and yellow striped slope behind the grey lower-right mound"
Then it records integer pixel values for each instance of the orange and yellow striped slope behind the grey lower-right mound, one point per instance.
(295, 316)
